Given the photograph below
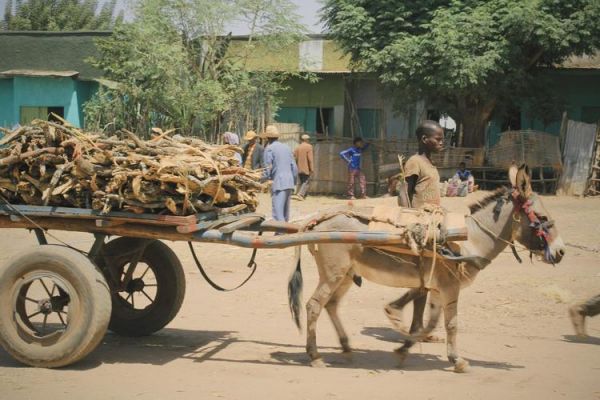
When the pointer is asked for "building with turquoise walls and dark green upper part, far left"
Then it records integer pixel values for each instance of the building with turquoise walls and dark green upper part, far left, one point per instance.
(46, 72)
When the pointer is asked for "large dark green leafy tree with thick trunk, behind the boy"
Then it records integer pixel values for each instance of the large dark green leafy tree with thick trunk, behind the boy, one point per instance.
(469, 58)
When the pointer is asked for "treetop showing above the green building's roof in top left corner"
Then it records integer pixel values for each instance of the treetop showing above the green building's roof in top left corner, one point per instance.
(60, 15)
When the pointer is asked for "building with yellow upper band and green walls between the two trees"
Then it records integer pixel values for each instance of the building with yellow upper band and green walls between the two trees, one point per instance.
(340, 102)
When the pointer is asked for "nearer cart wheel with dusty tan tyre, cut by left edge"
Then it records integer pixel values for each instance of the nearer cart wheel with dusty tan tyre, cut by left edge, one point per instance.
(54, 307)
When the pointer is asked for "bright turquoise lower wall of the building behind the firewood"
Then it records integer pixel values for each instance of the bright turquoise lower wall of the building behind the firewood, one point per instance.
(25, 91)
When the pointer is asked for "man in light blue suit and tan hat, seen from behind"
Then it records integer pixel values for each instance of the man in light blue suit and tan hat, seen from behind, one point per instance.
(281, 169)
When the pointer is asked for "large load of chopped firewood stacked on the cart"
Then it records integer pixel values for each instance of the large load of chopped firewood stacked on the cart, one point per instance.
(48, 163)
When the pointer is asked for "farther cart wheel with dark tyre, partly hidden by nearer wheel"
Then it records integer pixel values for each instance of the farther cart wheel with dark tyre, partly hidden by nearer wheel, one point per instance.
(147, 298)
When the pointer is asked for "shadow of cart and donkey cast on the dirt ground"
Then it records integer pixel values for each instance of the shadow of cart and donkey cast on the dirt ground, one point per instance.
(204, 346)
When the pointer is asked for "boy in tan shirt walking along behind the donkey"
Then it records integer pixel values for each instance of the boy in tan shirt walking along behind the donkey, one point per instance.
(422, 187)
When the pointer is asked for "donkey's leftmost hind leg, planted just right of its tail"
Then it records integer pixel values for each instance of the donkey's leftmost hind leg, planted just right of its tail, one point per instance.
(315, 305)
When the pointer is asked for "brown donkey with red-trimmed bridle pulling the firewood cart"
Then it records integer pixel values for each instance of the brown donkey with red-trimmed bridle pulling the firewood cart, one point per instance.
(505, 216)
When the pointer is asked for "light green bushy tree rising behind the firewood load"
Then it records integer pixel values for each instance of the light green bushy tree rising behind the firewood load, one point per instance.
(173, 67)
